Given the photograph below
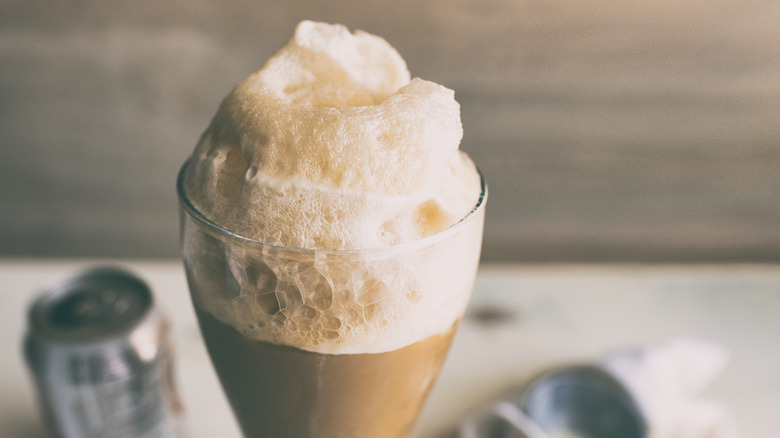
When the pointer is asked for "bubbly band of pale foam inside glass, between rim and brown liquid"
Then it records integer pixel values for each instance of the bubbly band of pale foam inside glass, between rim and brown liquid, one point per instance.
(337, 302)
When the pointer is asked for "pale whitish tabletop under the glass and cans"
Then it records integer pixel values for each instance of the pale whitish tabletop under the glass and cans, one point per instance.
(546, 316)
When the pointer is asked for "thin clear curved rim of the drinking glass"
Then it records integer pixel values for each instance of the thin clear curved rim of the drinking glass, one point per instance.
(204, 221)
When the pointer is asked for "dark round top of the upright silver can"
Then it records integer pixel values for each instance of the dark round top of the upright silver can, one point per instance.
(95, 305)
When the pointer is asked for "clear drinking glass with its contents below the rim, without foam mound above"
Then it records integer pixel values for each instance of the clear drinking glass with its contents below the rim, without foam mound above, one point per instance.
(377, 325)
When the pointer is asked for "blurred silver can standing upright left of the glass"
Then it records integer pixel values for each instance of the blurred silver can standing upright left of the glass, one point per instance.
(101, 358)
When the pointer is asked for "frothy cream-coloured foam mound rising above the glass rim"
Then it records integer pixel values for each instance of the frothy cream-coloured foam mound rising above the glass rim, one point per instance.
(332, 146)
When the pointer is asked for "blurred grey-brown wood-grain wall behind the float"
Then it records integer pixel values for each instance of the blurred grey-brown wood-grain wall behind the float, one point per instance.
(608, 131)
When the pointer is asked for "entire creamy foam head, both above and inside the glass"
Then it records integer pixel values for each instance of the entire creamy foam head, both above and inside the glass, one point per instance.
(331, 146)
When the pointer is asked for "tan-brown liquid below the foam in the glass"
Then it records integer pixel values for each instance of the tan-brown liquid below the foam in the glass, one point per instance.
(284, 392)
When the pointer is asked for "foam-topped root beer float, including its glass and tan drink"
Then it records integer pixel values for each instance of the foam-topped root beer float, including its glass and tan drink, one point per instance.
(331, 231)
